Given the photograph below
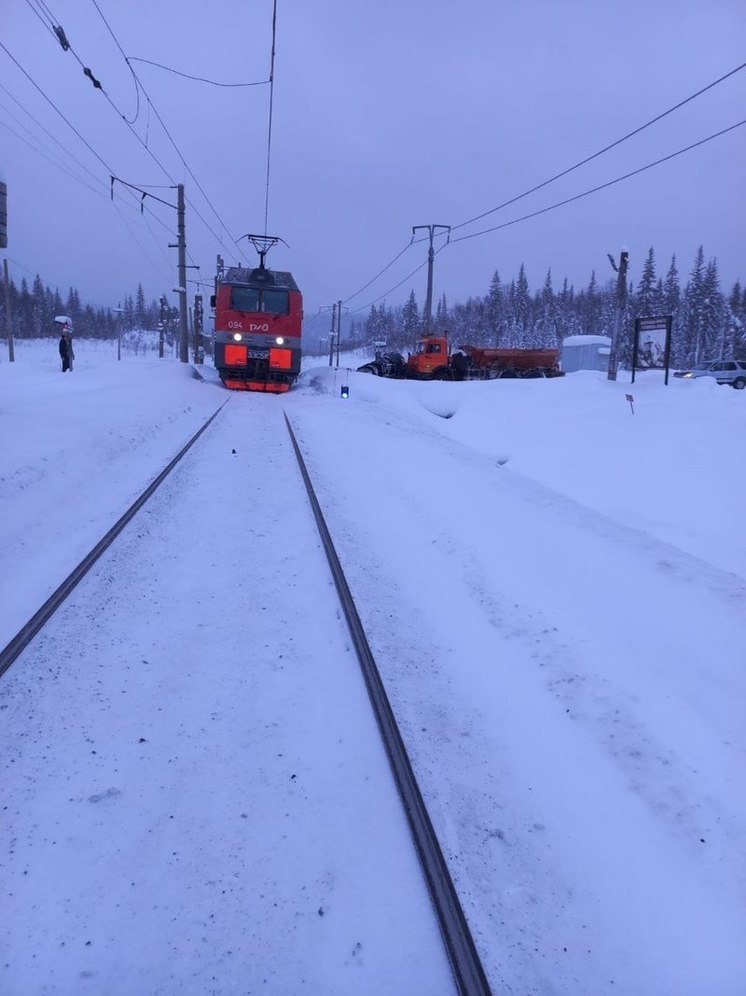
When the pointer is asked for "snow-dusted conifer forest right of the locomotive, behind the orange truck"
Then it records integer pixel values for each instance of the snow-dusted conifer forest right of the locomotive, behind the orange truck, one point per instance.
(707, 323)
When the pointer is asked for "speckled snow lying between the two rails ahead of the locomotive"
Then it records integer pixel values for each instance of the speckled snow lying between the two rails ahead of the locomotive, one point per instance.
(195, 789)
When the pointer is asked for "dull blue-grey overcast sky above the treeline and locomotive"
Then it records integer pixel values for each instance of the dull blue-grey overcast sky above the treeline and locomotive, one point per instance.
(386, 116)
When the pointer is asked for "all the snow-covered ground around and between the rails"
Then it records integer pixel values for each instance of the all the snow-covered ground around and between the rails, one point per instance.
(554, 587)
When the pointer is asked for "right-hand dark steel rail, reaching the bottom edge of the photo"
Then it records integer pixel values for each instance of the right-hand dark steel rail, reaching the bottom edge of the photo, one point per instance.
(466, 966)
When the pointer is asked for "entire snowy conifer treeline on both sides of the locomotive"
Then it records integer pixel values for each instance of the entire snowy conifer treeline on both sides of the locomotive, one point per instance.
(707, 322)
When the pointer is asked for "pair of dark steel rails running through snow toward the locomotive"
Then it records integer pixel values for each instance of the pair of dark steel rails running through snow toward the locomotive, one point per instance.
(468, 974)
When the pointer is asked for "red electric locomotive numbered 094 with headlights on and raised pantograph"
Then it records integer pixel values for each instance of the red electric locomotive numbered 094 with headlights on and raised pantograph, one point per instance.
(258, 316)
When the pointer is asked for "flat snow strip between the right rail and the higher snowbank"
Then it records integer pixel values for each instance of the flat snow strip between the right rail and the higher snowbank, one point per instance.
(582, 765)
